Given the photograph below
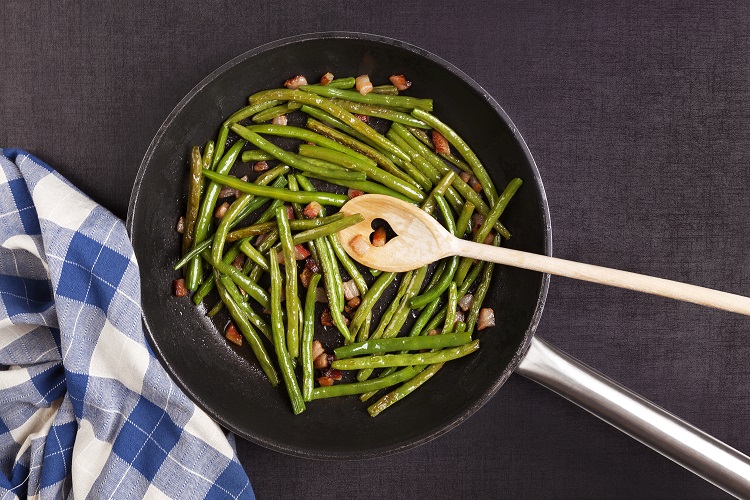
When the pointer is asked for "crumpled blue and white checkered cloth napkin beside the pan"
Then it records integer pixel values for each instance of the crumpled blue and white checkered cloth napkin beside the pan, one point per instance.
(85, 408)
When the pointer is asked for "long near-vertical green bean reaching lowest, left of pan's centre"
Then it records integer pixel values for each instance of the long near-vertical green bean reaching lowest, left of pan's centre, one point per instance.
(277, 327)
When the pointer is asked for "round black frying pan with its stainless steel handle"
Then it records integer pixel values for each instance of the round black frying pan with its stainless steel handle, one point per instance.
(227, 382)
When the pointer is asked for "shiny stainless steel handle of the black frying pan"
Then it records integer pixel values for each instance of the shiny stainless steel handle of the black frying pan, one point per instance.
(641, 419)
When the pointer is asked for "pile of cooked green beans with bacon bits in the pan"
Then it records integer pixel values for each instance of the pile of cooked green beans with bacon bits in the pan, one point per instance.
(239, 232)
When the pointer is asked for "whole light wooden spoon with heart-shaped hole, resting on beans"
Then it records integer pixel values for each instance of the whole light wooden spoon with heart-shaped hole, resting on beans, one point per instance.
(421, 239)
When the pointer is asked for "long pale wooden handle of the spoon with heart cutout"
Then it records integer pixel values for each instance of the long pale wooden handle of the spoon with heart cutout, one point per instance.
(605, 276)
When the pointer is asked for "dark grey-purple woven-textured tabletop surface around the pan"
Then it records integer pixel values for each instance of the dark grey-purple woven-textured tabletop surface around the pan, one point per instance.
(638, 115)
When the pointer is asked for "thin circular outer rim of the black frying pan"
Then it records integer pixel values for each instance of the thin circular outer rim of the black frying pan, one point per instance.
(547, 240)
